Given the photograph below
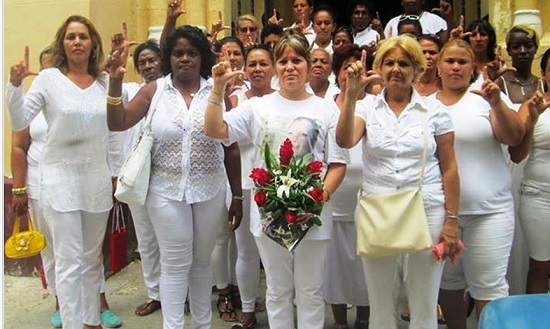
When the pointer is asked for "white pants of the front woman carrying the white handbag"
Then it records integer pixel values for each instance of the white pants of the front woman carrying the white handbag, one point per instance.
(185, 236)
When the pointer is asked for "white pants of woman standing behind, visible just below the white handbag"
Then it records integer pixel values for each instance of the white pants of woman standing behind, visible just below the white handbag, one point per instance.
(148, 250)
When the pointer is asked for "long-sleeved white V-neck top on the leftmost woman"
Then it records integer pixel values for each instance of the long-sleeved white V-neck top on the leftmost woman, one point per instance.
(74, 170)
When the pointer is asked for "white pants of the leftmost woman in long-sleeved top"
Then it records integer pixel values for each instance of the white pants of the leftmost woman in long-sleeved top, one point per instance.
(77, 241)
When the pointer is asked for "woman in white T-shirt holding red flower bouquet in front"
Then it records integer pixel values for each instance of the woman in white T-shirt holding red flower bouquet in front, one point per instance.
(268, 120)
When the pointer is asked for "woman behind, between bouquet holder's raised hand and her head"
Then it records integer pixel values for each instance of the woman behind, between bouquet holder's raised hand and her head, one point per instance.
(259, 69)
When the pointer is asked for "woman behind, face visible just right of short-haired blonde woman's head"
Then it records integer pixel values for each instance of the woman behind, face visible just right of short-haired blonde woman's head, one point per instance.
(429, 81)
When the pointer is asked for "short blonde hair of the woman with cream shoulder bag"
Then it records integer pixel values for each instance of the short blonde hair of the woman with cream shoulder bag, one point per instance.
(406, 43)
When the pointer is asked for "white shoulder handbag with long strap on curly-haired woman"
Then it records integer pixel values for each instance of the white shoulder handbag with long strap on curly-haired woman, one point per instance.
(133, 178)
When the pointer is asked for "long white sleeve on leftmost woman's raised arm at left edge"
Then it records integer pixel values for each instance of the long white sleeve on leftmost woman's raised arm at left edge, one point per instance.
(22, 109)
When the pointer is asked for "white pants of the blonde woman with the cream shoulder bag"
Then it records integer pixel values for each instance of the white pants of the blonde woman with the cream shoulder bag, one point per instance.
(421, 283)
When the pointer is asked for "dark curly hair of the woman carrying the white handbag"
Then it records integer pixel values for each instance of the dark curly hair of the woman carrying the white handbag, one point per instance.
(198, 40)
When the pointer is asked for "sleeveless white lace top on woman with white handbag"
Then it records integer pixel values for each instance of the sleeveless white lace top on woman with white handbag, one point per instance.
(186, 164)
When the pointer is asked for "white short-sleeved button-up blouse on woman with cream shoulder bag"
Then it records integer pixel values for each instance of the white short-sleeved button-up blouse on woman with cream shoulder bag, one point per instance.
(392, 147)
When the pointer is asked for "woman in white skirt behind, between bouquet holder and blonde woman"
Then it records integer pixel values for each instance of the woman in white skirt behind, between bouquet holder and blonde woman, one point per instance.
(344, 277)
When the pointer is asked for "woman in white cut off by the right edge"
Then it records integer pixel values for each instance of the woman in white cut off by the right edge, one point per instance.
(534, 204)
